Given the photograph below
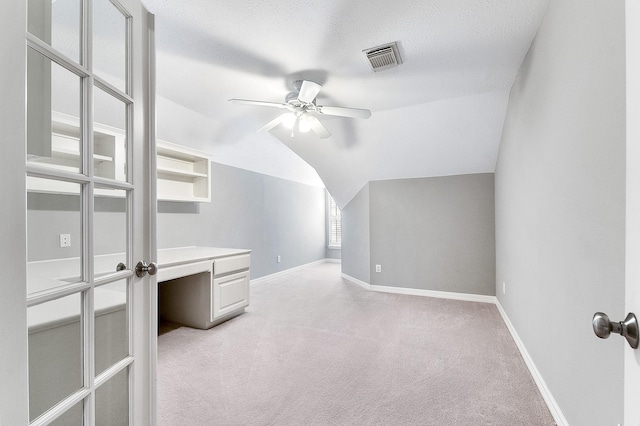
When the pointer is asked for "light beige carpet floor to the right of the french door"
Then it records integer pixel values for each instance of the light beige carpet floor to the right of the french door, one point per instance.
(314, 349)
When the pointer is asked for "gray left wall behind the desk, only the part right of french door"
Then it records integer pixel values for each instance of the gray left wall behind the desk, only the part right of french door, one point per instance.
(271, 216)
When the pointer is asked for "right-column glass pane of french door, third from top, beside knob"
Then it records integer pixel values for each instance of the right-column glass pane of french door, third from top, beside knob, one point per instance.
(110, 230)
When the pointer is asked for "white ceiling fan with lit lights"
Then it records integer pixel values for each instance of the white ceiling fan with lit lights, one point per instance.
(302, 107)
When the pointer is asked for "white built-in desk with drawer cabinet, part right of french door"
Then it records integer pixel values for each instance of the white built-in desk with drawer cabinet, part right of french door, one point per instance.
(202, 286)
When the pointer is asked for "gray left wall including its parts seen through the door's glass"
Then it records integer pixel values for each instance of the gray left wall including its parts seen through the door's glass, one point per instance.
(270, 216)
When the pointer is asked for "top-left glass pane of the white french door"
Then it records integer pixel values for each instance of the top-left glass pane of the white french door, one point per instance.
(57, 22)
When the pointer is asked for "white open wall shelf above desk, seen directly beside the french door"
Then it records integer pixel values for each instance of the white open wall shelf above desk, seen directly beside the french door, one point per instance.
(184, 174)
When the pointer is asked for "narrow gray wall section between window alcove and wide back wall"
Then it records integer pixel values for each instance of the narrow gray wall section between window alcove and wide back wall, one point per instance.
(355, 237)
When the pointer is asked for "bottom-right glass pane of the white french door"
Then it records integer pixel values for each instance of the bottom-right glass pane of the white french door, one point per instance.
(112, 401)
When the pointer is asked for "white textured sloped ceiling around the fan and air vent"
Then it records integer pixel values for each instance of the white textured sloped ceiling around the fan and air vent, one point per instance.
(439, 113)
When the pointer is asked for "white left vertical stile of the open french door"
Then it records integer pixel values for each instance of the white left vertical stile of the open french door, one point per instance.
(14, 408)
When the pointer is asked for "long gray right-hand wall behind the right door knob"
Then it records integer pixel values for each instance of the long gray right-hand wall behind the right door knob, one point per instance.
(560, 206)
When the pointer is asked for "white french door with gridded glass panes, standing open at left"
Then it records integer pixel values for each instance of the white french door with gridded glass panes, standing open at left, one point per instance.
(84, 333)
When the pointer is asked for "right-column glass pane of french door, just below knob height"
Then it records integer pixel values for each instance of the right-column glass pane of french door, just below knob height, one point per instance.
(111, 325)
